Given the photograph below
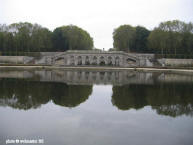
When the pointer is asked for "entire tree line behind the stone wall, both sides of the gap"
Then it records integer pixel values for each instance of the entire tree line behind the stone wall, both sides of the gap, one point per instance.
(170, 38)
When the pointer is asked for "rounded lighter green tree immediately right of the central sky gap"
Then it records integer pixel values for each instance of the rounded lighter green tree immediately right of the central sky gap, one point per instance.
(124, 37)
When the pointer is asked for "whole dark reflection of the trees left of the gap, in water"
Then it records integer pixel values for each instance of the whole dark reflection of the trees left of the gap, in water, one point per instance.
(27, 94)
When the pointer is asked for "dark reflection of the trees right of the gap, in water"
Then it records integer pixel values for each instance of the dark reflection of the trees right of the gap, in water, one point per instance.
(168, 99)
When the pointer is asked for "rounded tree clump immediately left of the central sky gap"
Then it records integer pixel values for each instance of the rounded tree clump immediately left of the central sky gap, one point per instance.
(71, 38)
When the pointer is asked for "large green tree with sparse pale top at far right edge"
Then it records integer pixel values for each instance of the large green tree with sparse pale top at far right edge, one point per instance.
(172, 37)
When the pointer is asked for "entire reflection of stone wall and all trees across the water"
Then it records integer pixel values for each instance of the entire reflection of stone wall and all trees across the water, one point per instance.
(168, 94)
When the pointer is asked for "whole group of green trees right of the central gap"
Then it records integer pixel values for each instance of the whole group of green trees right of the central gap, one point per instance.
(170, 38)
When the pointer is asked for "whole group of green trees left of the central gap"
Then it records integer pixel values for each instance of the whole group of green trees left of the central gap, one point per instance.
(27, 37)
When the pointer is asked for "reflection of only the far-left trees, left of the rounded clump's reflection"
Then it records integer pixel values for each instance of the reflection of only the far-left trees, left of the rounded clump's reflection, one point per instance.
(23, 94)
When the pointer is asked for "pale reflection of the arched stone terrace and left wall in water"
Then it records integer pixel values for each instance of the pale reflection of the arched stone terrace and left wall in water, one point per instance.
(82, 77)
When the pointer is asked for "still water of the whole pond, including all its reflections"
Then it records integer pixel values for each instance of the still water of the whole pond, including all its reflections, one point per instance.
(96, 107)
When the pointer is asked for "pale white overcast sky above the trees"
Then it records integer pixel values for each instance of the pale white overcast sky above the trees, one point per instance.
(98, 17)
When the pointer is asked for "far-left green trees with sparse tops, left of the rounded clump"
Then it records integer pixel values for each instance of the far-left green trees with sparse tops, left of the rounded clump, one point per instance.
(24, 37)
